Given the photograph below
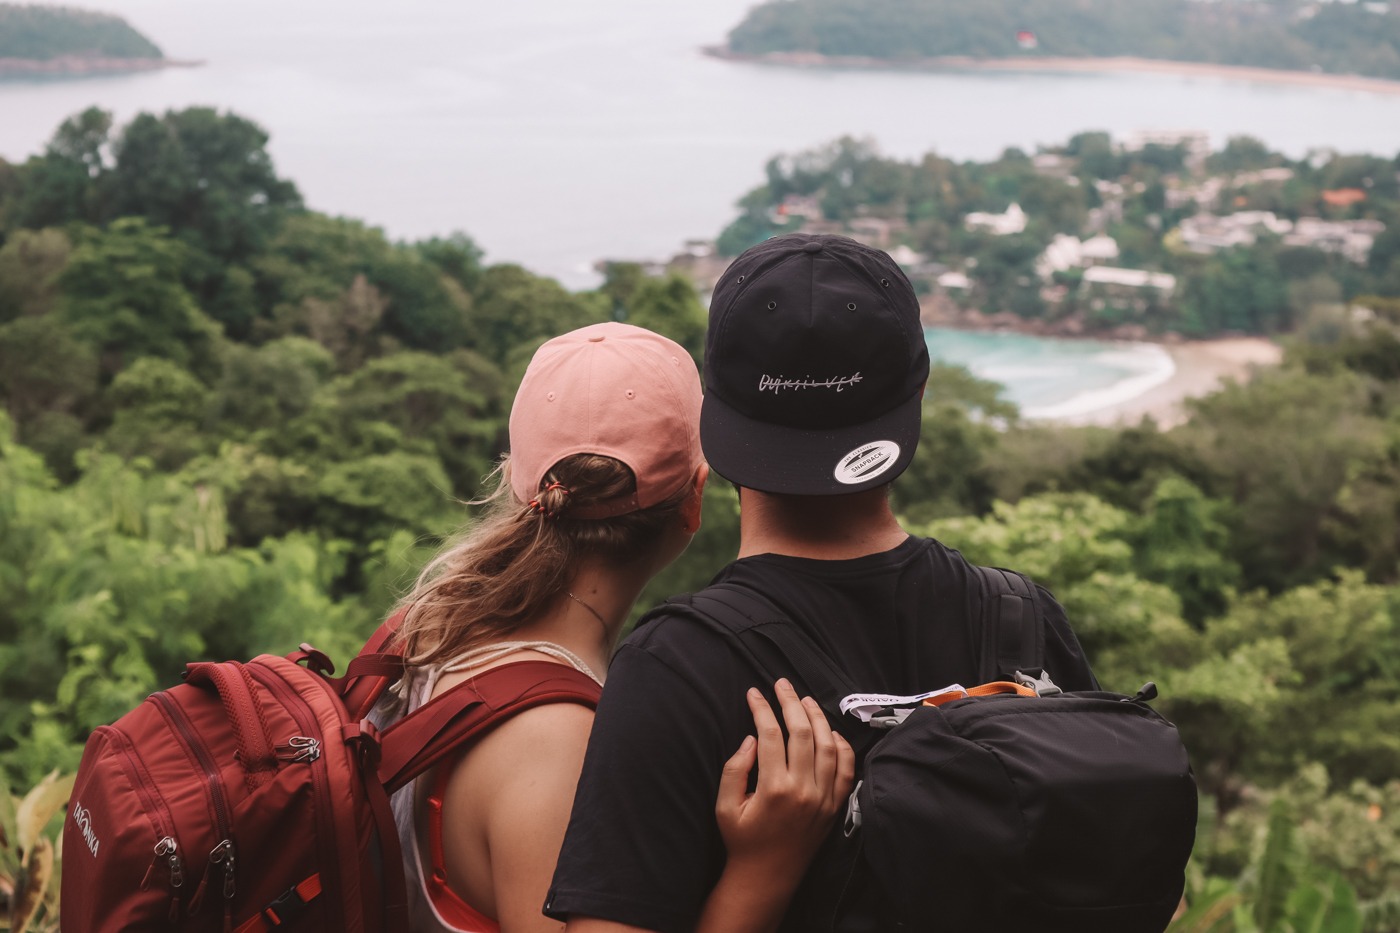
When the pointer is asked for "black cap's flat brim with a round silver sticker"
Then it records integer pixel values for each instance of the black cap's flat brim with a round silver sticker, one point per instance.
(803, 462)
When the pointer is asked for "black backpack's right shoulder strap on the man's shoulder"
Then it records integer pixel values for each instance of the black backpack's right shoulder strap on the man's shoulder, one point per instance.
(1011, 638)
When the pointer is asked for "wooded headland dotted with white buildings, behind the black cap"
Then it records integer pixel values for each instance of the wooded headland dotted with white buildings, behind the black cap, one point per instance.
(1150, 236)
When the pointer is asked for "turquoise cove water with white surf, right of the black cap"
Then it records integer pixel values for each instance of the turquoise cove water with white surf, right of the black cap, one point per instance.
(1055, 378)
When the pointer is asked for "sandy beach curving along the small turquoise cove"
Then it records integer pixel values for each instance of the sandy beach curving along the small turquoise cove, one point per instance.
(1199, 368)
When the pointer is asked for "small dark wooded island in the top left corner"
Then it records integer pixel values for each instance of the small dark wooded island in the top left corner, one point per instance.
(64, 43)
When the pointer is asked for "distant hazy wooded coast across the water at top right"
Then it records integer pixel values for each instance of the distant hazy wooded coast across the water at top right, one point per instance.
(1300, 36)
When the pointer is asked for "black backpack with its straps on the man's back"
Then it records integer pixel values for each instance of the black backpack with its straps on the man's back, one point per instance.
(1024, 809)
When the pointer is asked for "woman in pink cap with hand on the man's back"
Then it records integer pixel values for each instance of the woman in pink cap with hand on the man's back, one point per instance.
(601, 491)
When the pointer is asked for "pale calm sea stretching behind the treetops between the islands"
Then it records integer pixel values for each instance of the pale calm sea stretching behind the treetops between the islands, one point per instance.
(559, 132)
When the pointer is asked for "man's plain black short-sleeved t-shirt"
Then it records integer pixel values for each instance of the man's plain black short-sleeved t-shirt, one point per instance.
(643, 847)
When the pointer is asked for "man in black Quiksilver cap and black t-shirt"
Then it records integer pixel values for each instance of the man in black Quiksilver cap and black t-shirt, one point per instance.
(815, 371)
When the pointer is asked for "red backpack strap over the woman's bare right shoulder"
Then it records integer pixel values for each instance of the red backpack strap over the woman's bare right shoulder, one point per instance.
(440, 728)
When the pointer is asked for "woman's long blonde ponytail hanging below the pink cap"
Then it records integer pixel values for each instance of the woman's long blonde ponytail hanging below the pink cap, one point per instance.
(519, 558)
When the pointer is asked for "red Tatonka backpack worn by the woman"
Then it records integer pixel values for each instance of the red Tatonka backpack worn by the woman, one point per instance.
(257, 796)
